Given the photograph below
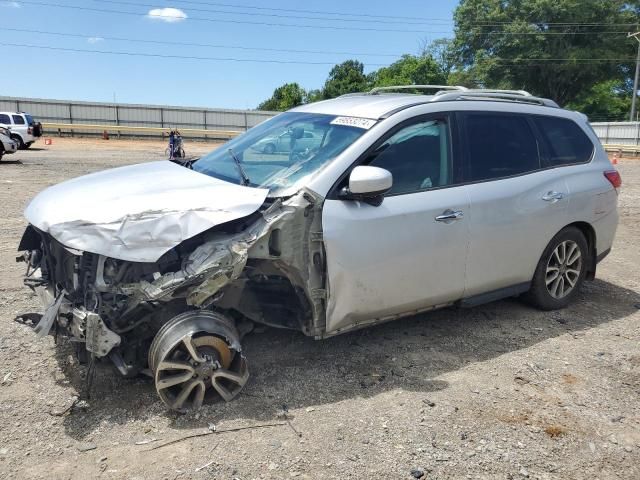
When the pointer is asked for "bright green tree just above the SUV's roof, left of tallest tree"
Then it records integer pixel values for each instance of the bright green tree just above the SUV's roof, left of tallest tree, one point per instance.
(409, 70)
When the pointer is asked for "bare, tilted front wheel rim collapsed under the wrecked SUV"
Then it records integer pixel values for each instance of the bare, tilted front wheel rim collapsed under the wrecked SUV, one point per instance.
(196, 358)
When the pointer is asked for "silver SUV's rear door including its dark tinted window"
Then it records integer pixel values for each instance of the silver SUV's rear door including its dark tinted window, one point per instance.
(516, 205)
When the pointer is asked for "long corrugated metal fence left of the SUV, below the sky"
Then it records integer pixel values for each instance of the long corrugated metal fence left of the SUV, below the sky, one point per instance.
(163, 116)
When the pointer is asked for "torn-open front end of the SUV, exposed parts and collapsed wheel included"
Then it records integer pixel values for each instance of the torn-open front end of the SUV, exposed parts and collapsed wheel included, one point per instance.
(179, 316)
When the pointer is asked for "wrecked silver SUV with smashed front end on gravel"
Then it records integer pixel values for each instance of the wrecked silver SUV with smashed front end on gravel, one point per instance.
(408, 203)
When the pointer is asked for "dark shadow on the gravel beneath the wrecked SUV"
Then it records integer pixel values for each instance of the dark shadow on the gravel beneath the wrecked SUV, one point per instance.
(292, 371)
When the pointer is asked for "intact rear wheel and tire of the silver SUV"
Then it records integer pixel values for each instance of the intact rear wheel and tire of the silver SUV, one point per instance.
(549, 292)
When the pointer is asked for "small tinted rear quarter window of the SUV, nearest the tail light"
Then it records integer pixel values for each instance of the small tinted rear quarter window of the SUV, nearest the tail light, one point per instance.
(565, 142)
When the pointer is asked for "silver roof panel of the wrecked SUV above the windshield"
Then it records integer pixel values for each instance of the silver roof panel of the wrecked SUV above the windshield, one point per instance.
(364, 106)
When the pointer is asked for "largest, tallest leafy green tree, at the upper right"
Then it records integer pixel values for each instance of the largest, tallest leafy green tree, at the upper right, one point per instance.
(553, 48)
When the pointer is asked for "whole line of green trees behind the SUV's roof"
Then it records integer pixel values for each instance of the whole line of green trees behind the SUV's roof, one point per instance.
(512, 44)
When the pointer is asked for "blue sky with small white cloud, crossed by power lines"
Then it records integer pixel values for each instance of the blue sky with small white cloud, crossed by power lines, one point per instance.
(208, 83)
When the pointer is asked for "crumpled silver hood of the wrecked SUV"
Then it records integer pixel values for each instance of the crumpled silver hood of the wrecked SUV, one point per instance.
(139, 212)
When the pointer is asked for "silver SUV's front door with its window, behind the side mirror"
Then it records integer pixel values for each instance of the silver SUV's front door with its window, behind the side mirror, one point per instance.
(408, 253)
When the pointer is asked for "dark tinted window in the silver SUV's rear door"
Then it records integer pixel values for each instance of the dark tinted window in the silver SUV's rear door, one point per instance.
(499, 145)
